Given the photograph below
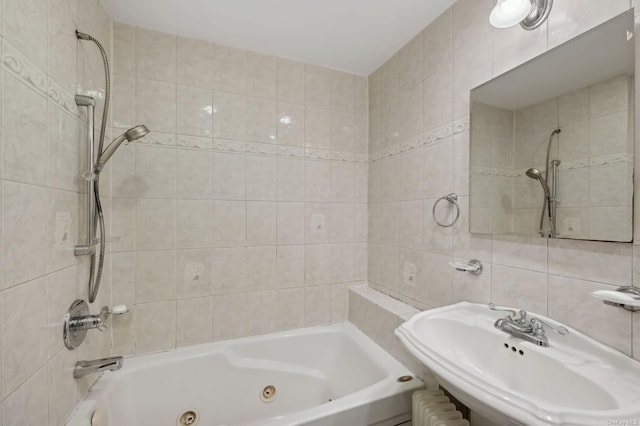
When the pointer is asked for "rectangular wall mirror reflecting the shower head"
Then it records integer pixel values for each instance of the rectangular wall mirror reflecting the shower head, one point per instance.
(551, 141)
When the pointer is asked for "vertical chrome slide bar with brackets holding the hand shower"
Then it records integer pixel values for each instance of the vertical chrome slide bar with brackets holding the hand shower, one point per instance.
(89, 247)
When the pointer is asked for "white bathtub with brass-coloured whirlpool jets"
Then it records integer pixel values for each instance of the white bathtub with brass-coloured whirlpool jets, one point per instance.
(321, 376)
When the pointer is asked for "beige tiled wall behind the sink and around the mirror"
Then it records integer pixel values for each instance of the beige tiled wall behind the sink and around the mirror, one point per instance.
(428, 153)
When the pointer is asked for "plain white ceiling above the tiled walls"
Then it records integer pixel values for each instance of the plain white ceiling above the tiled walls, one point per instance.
(349, 35)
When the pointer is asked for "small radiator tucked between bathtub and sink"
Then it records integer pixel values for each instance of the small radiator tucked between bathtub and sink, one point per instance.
(433, 408)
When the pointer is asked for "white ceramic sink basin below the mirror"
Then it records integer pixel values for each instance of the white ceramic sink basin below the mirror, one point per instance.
(574, 381)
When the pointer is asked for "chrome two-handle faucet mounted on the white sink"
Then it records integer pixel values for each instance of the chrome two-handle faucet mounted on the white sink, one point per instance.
(530, 329)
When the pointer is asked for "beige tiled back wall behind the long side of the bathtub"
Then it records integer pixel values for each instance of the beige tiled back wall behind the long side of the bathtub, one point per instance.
(245, 210)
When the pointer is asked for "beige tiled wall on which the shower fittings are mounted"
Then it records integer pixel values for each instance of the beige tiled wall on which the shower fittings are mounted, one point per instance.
(43, 66)
